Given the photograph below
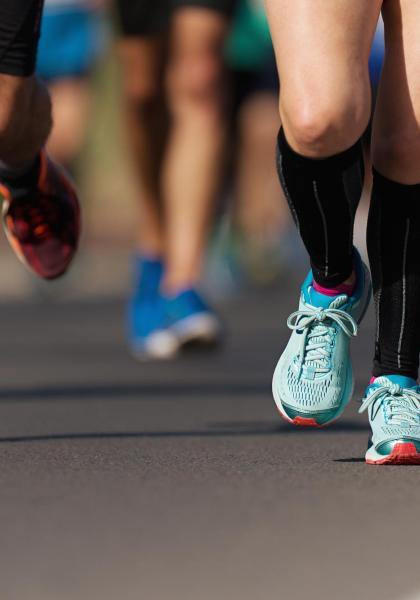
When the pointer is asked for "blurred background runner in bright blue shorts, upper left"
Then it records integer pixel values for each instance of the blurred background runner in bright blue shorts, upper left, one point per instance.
(72, 41)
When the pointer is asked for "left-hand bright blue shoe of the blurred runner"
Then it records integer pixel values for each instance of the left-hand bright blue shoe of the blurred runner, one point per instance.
(147, 332)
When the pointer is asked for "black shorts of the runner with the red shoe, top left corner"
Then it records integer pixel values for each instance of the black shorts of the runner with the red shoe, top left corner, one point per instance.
(20, 22)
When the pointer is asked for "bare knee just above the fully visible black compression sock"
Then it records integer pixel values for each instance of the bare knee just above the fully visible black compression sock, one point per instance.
(322, 127)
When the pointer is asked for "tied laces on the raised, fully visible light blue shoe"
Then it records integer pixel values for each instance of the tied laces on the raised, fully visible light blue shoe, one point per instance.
(318, 328)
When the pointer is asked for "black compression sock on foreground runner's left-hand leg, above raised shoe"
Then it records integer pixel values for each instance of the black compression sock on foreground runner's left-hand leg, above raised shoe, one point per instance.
(323, 195)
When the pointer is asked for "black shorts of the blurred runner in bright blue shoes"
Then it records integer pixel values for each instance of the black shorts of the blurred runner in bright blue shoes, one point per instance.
(148, 17)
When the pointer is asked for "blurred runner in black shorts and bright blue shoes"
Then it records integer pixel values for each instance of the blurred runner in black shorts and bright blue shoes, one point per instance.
(172, 61)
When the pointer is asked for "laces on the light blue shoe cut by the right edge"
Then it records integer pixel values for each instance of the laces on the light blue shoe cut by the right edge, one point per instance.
(401, 406)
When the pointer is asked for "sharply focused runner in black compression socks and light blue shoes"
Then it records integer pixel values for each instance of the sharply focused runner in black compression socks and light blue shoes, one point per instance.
(325, 107)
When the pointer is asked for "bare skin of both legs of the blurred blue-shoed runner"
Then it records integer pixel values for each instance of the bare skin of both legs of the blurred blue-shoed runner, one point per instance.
(179, 184)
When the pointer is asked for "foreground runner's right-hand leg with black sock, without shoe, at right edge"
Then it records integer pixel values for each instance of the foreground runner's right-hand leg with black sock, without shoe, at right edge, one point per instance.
(394, 222)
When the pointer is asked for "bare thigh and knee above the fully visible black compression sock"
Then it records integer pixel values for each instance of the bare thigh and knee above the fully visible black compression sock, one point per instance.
(322, 49)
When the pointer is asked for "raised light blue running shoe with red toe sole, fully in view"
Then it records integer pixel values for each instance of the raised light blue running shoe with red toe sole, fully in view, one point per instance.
(313, 381)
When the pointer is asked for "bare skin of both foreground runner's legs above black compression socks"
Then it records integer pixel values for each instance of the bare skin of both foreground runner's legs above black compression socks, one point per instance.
(322, 49)
